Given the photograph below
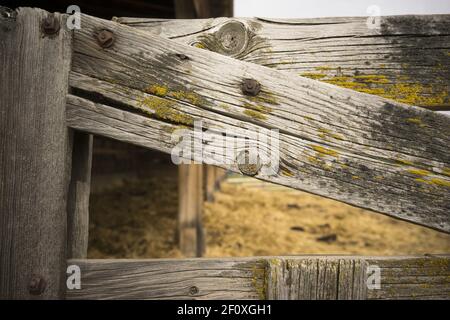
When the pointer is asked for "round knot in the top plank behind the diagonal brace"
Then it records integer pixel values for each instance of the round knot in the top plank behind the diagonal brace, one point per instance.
(232, 37)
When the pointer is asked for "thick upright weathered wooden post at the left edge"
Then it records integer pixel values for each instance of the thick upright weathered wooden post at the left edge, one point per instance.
(34, 155)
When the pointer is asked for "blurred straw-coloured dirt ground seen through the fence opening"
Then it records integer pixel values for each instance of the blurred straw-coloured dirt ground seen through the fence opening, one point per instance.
(137, 219)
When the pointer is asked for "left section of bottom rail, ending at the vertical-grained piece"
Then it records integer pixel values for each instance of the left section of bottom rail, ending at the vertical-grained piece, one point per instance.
(168, 279)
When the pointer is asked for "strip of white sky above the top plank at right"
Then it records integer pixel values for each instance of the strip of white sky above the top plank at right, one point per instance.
(335, 8)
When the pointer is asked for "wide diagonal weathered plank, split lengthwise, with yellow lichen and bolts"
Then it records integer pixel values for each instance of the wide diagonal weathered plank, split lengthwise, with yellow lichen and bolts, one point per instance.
(353, 147)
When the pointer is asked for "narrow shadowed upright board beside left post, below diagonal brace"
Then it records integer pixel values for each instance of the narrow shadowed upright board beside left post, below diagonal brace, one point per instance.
(78, 201)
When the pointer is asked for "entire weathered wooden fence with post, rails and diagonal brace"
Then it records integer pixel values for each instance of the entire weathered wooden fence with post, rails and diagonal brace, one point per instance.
(138, 80)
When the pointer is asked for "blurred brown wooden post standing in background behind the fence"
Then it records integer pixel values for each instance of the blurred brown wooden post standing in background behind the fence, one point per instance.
(190, 228)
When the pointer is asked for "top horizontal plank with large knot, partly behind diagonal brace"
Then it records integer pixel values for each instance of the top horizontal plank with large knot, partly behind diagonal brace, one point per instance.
(406, 59)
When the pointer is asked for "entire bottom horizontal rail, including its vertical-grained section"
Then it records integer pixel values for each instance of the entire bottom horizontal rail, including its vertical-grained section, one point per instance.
(341, 277)
